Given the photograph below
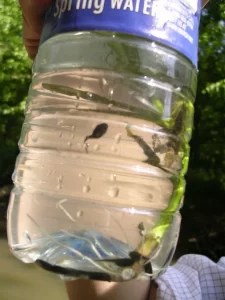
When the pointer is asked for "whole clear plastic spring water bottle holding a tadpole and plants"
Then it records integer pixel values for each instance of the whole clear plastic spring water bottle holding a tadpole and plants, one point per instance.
(99, 180)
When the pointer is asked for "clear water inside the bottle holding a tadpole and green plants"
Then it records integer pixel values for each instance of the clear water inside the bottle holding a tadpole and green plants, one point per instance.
(101, 165)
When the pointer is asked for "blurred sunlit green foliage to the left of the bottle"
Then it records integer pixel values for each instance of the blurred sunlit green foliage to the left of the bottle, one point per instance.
(14, 83)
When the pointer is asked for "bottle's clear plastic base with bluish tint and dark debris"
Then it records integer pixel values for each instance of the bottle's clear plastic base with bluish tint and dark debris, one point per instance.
(87, 255)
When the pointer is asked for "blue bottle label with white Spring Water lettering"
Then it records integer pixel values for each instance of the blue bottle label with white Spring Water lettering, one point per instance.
(174, 23)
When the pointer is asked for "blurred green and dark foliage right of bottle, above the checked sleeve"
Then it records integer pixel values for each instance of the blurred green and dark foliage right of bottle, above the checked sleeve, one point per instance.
(203, 225)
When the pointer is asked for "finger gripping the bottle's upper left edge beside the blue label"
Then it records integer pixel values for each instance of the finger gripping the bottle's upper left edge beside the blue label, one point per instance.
(33, 12)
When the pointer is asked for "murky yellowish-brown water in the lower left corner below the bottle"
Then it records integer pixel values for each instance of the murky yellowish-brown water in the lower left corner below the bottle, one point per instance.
(20, 281)
